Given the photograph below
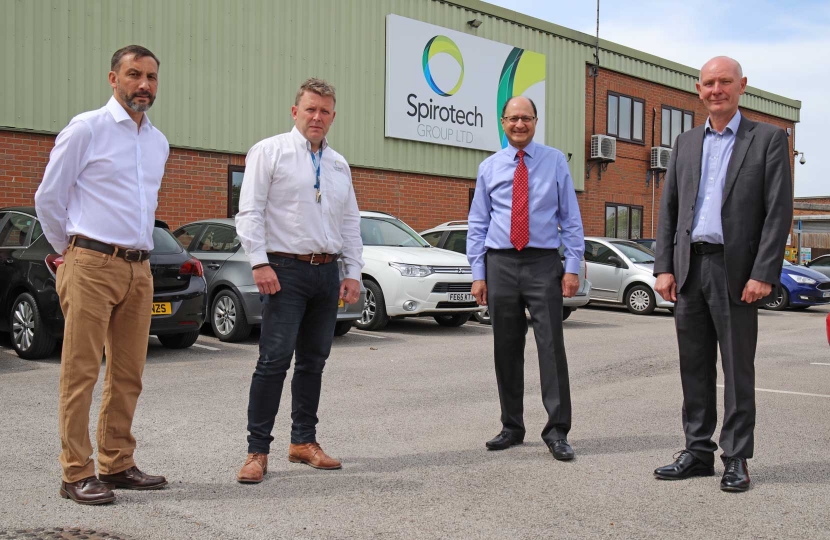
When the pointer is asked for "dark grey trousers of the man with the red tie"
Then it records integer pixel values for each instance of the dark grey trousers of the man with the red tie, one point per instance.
(529, 278)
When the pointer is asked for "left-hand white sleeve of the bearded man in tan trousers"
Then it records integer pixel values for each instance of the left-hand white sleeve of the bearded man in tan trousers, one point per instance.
(66, 161)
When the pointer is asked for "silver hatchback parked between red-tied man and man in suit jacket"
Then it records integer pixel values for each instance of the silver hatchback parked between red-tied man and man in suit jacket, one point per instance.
(622, 273)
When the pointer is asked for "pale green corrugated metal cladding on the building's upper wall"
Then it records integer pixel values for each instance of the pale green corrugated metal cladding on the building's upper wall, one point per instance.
(230, 69)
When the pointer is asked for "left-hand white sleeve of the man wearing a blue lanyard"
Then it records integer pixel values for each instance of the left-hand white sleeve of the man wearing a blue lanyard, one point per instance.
(250, 221)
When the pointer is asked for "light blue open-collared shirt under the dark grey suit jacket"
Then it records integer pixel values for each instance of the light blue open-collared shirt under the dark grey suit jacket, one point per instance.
(717, 150)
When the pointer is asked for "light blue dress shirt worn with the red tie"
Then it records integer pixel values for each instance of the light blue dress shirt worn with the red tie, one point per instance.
(552, 206)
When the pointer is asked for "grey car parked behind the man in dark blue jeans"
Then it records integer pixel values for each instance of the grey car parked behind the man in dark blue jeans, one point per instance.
(234, 300)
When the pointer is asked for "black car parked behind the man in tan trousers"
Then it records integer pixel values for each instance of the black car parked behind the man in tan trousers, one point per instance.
(29, 306)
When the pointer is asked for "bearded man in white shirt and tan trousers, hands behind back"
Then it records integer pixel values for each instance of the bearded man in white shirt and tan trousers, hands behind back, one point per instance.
(97, 205)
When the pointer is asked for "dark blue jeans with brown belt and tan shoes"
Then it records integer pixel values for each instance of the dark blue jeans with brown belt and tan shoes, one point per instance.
(297, 321)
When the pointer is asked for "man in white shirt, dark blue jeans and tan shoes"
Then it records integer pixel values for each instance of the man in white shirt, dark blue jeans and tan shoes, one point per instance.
(297, 215)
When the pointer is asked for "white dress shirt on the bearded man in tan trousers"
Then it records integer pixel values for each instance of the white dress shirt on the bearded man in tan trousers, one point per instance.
(102, 180)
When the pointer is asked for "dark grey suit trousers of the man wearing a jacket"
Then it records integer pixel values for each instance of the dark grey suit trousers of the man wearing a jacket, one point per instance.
(705, 318)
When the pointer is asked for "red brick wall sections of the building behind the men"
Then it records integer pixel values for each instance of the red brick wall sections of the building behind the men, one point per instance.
(195, 184)
